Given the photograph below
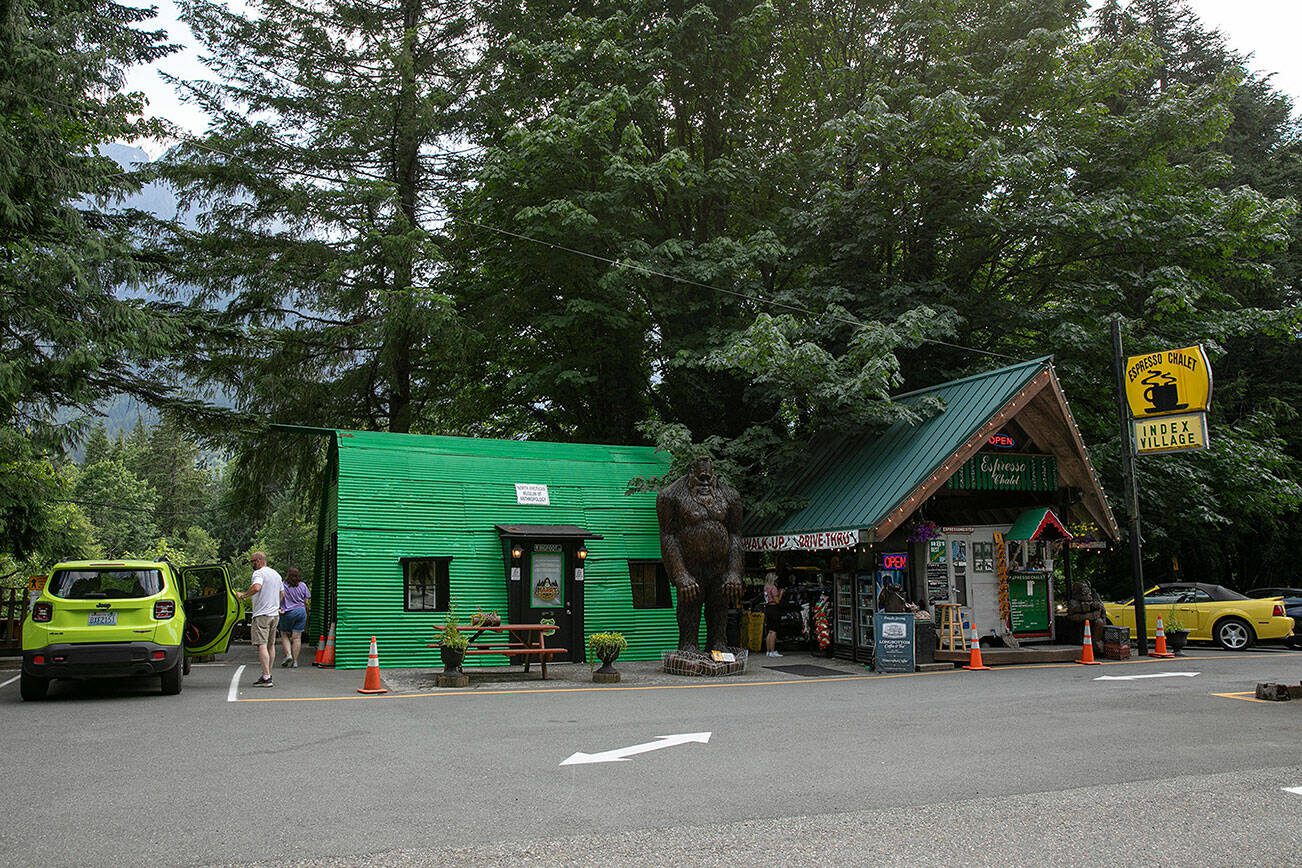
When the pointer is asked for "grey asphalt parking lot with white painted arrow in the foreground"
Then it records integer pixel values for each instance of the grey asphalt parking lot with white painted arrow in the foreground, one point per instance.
(1019, 763)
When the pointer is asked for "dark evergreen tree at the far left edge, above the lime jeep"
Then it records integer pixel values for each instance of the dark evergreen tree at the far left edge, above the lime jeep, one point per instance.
(67, 340)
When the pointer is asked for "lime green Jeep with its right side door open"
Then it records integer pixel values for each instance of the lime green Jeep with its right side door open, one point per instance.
(114, 620)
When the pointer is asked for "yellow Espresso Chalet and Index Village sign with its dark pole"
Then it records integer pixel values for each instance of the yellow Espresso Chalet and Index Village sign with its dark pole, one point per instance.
(1163, 400)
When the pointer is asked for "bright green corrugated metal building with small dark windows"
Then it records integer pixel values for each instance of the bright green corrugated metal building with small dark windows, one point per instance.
(411, 524)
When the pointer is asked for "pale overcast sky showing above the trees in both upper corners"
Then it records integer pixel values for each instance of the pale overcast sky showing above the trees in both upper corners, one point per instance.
(1265, 29)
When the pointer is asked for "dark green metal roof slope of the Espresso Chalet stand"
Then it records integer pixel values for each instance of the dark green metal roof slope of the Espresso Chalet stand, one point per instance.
(852, 482)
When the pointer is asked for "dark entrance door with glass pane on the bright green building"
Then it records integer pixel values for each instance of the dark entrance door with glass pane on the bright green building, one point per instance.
(550, 594)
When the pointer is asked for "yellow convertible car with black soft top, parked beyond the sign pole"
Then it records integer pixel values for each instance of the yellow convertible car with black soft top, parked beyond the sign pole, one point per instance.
(1209, 612)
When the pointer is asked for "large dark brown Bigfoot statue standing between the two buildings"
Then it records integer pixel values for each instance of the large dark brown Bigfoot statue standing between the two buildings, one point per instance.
(701, 545)
